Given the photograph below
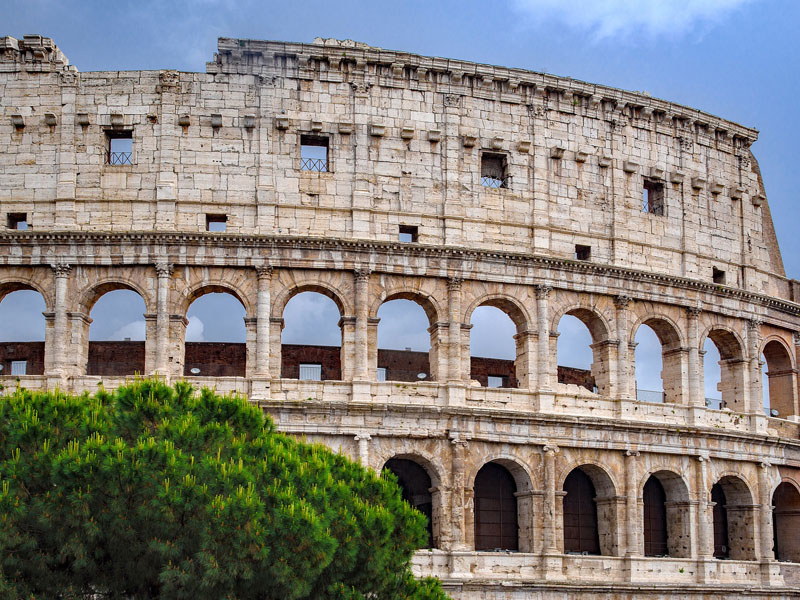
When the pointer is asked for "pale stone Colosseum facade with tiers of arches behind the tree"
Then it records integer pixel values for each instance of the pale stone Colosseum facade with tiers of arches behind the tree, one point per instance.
(369, 175)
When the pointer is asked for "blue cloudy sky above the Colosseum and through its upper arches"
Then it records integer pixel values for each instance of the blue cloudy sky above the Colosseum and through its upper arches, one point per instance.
(734, 58)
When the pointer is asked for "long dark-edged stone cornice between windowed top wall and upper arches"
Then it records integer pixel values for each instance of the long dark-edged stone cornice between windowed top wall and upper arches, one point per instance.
(244, 241)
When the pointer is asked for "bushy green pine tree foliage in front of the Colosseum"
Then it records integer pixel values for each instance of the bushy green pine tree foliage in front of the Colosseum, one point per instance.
(155, 492)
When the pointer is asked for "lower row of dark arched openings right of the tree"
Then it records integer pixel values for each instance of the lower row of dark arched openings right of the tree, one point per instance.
(589, 517)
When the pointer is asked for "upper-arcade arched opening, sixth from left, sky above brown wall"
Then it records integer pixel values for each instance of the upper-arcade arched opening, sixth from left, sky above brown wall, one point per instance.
(493, 349)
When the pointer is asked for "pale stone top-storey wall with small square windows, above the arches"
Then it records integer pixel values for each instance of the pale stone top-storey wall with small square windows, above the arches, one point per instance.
(406, 137)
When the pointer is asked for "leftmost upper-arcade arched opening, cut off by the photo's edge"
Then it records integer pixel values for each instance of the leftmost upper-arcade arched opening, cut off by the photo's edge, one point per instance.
(23, 332)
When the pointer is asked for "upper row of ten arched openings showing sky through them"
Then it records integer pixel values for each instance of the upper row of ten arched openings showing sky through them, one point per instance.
(497, 326)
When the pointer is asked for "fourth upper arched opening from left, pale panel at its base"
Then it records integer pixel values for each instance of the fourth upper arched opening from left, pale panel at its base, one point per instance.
(311, 340)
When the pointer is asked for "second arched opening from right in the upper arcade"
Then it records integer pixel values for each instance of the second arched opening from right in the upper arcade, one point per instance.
(723, 371)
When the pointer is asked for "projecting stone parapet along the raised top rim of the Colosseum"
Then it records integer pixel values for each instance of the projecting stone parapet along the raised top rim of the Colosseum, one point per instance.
(241, 56)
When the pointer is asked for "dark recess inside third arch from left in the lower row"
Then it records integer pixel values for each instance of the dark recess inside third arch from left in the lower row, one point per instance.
(580, 515)
